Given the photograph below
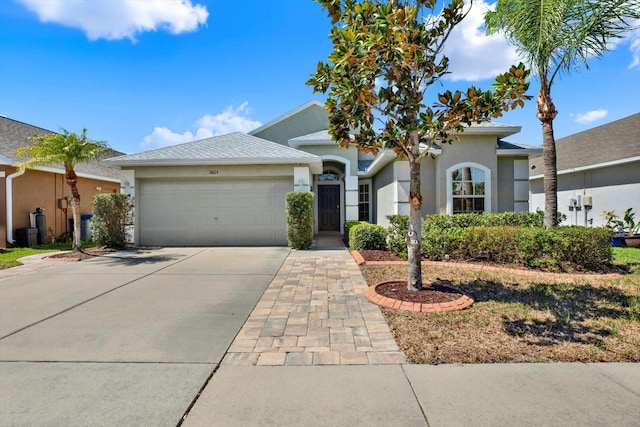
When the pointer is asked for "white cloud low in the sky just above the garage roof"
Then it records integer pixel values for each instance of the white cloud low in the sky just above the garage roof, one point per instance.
(230, 120)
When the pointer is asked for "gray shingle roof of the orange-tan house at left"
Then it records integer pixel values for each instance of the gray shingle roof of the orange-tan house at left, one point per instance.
(14, 134)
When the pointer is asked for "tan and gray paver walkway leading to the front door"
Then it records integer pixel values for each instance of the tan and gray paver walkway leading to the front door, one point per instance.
(315, 313)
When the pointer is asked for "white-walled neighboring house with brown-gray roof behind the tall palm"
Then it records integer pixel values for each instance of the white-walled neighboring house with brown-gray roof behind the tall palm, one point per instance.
(598, 171)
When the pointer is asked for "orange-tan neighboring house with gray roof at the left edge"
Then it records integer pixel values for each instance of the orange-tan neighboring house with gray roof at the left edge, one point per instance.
(44, 187)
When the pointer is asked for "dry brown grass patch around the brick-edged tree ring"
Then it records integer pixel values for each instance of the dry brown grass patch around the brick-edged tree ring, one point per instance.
(519, 318)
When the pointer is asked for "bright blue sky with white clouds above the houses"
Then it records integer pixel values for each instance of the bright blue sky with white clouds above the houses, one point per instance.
(141, 74)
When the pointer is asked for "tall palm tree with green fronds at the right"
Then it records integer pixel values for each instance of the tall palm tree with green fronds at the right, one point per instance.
(558, 36)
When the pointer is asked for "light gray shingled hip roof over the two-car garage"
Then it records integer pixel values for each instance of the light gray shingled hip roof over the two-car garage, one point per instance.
(233, 148)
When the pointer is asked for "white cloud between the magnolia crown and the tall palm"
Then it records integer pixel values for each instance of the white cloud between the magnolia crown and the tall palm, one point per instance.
(472, 54)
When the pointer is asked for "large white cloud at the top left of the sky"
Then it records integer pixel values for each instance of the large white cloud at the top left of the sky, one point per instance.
(119, 19)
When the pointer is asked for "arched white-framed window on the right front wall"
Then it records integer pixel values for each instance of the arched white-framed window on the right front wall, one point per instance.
(468, 188)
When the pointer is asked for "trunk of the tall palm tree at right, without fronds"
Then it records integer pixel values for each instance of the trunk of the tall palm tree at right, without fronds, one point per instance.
(546, 113)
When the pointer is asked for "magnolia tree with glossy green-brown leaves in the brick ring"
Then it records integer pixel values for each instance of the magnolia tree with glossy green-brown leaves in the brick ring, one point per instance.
(386, 58)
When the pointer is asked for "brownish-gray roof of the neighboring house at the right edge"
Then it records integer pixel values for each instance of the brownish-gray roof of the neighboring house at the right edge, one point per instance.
(610, 142)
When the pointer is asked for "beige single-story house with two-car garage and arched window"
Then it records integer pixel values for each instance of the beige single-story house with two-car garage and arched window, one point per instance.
(229, 189)
